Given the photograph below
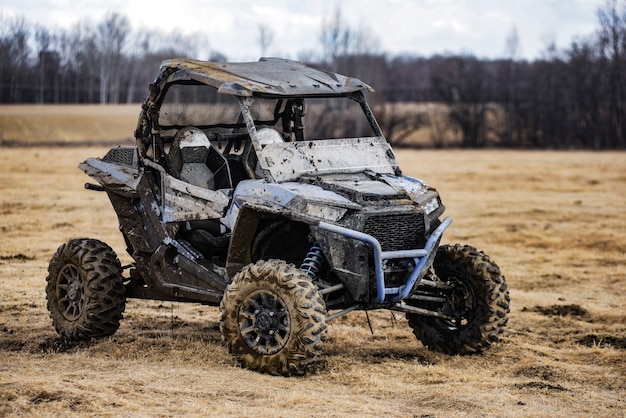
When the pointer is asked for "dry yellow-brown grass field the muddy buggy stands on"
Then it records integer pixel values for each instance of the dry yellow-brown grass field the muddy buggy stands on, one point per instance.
(553, 221)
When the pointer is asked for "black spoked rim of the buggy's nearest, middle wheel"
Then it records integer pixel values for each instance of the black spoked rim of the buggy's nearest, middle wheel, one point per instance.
(264, 322)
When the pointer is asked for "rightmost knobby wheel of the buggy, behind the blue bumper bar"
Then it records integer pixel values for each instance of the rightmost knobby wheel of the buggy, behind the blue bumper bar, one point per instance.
(479, 302)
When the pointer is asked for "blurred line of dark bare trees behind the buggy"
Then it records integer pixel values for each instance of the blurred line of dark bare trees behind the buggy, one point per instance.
(570, 98)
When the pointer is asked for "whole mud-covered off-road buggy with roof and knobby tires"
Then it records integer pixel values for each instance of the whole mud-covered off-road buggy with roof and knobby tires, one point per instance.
(244, 191)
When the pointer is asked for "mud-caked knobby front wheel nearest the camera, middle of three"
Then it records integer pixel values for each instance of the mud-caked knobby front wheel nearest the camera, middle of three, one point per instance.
(273, 319)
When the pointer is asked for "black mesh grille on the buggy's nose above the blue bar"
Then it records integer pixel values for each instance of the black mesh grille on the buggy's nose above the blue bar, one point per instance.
(396, 231)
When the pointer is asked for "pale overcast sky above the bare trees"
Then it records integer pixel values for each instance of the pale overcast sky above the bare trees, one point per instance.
(415, 27)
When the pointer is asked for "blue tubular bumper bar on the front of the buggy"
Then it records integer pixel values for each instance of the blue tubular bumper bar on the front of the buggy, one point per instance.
(422, 257)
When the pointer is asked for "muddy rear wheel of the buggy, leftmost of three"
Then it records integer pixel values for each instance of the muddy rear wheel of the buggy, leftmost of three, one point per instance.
(85, 290)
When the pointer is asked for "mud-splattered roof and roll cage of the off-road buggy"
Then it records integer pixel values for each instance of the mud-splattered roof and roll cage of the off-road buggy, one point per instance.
(234, 90)
